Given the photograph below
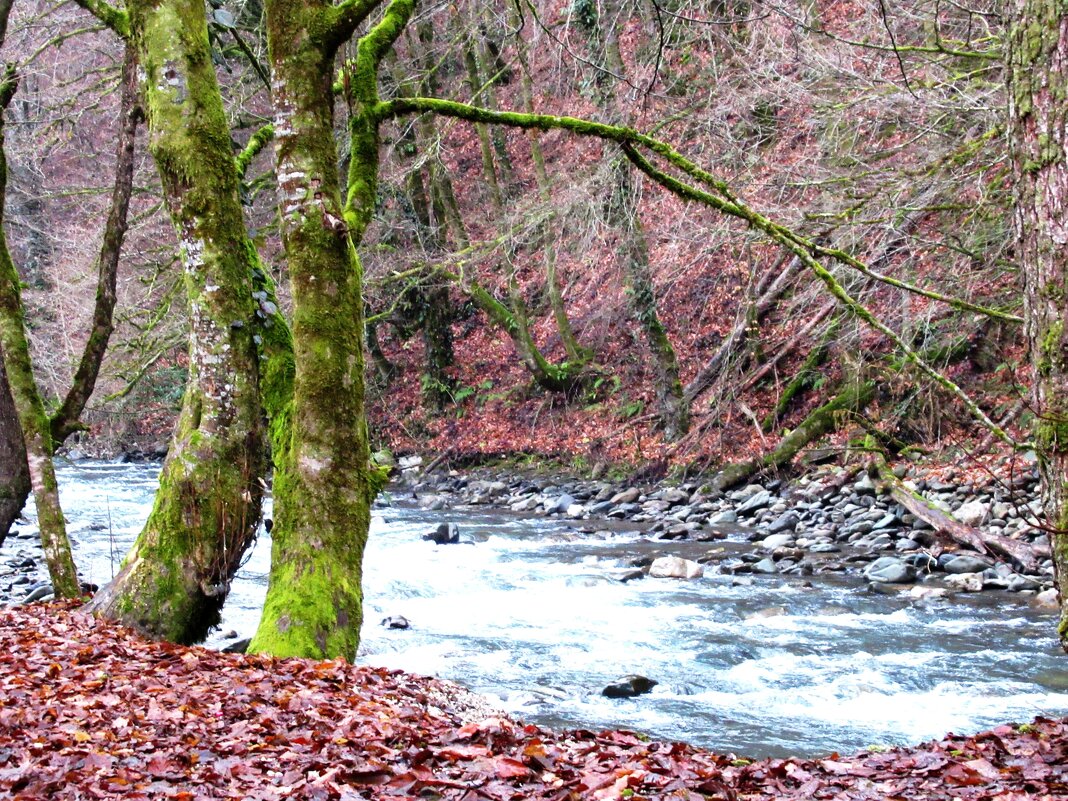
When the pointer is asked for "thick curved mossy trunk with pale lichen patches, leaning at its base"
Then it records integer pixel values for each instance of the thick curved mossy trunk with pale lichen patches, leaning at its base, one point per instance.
(176, 578)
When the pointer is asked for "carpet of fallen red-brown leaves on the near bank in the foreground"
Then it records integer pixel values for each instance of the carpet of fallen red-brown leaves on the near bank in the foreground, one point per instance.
(90, 711)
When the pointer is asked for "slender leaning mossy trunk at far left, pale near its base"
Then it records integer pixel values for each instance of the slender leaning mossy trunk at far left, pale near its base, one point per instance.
(28, 404)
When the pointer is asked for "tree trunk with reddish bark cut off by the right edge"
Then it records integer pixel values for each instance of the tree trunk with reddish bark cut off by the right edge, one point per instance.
(1039, 116)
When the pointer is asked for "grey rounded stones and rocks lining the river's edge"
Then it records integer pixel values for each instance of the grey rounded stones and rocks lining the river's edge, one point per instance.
(829, 522)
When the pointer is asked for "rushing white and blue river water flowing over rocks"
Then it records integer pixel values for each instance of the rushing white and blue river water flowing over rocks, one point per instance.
(532, 615)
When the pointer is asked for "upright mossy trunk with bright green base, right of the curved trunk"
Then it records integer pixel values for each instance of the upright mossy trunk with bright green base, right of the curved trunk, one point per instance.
(323, 488)
